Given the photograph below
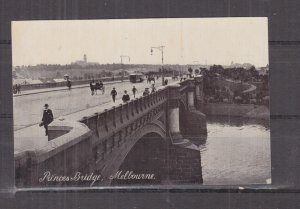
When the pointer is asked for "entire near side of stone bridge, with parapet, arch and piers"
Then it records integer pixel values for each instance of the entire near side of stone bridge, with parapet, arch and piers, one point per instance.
(148, 135)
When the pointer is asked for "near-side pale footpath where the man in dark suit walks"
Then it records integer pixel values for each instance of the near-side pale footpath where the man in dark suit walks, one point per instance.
(33, 137)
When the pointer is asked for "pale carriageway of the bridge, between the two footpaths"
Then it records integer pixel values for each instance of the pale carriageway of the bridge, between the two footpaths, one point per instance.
(28, 109)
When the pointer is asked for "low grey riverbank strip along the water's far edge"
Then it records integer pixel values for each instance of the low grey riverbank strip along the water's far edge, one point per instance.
(239, 110)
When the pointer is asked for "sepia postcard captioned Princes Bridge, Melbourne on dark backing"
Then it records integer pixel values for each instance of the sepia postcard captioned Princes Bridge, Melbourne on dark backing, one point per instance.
(139, 102)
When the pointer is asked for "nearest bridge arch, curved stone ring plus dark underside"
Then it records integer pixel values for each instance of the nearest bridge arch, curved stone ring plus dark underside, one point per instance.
(138, 147)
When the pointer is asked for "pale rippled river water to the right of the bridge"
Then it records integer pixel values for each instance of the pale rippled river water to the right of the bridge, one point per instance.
(236, 151)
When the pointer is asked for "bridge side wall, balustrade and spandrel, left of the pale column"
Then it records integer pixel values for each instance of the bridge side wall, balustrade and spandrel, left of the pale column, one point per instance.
(116, 130)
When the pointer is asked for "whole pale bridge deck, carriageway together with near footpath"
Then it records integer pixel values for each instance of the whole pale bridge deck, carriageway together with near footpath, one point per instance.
(28, 109)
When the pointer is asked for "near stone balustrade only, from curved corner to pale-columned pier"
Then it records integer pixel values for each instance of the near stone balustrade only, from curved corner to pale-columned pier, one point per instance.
(124, 116)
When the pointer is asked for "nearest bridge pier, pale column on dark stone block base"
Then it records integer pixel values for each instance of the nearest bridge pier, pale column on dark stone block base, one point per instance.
(184, 161)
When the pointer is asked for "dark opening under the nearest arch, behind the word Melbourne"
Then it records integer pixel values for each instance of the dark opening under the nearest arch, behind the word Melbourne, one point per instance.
(147, 157)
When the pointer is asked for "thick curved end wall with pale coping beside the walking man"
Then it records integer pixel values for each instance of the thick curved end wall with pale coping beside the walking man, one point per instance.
(62, 156)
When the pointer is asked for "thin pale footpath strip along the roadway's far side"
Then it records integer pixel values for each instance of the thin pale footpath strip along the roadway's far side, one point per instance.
(61, 88)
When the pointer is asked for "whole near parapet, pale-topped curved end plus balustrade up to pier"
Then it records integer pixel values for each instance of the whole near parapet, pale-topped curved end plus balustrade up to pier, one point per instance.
(81, 144)
